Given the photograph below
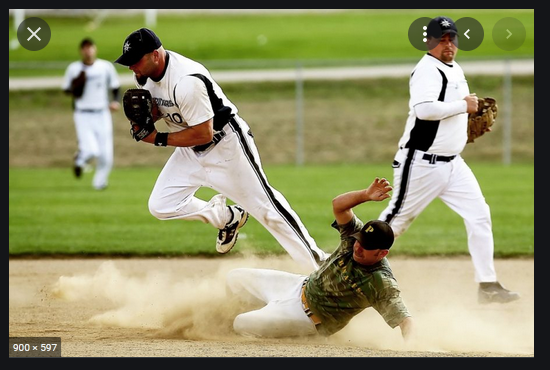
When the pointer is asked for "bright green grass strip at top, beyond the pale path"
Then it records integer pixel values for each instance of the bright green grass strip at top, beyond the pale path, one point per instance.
(265, 40)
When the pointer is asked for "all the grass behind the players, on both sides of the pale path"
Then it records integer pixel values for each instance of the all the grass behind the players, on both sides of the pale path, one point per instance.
(52, 213)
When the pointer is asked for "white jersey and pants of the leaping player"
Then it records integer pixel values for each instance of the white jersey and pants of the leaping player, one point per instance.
(232, 167)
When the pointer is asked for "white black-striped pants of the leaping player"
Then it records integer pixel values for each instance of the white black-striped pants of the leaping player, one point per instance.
(233, 168)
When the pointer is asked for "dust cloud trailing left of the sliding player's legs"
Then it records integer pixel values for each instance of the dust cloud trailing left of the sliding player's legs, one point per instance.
(189, 307)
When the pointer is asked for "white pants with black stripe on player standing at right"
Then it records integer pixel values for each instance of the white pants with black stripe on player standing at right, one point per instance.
(417, 182)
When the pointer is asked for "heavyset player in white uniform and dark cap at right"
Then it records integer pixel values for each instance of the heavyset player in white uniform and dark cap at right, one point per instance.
(428, 163)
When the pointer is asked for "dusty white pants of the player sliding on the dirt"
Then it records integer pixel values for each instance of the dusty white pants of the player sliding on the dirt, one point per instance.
(280, 291)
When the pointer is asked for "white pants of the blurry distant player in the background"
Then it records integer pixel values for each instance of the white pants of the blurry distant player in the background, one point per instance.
(94, 132)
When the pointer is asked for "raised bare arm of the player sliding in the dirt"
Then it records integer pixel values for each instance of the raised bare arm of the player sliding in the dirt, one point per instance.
(343, 204)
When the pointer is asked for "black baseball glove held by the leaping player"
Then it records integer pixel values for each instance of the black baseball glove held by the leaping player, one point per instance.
(138, 107)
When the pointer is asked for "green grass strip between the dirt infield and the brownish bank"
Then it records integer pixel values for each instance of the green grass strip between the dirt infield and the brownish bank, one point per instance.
(52, 213)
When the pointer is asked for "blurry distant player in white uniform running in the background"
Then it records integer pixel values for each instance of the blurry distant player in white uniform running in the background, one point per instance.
(92, 105)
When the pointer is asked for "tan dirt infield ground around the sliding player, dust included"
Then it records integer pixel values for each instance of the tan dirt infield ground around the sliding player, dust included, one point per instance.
(176, 307)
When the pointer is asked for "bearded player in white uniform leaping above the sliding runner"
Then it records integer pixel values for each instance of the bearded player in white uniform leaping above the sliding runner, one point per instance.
(215, 148)
